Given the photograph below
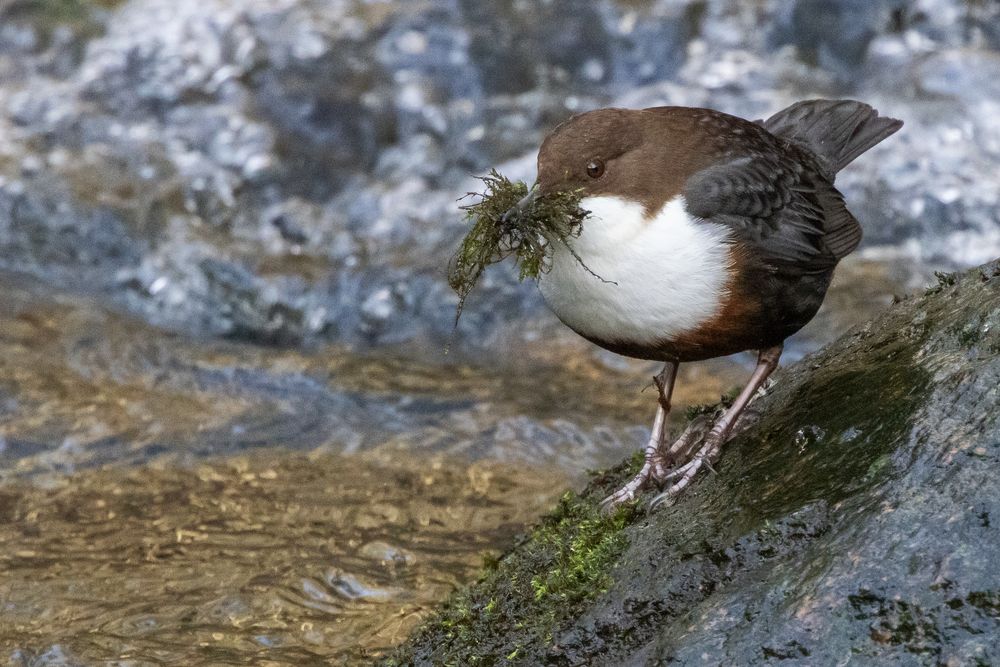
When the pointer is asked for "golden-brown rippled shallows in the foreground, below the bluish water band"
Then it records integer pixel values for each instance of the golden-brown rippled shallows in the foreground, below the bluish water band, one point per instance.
(277, 559)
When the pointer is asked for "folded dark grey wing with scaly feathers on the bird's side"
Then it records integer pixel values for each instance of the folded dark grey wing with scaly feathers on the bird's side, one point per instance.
(783, 208)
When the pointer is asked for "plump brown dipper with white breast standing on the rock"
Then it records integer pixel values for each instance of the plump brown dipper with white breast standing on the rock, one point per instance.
(707, 235)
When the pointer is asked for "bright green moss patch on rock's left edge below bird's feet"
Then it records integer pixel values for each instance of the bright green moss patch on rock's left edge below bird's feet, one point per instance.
(565, 562)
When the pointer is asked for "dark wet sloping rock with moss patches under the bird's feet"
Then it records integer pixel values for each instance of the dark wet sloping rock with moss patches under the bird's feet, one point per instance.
(857, 523)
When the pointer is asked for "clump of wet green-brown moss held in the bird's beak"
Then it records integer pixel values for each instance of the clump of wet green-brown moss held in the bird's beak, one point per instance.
(527, 234)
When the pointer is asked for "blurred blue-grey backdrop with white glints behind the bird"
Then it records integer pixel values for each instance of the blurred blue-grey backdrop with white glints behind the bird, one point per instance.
(282, 172)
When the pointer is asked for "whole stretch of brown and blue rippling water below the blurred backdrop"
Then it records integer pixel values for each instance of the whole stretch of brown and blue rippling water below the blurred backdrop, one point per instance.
(168, 500)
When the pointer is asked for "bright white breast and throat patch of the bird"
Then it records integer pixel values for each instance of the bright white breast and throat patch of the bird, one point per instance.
(666, 275)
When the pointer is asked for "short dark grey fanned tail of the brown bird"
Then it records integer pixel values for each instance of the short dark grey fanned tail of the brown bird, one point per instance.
(836, 131)
